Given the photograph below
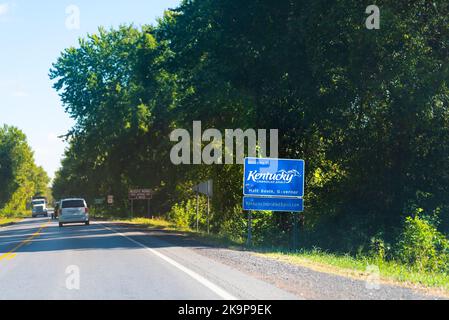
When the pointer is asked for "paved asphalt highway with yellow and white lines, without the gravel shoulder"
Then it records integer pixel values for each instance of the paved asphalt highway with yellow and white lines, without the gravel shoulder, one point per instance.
(39, 260)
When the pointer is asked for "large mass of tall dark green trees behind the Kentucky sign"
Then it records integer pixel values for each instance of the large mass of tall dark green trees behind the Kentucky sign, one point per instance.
(367, 109)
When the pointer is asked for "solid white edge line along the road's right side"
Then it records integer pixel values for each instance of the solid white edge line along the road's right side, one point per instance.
(211, 286)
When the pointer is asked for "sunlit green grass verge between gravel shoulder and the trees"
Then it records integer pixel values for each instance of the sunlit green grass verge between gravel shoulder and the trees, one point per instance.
(345, 265)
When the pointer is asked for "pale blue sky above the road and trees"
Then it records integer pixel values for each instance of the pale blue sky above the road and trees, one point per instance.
(32, 35)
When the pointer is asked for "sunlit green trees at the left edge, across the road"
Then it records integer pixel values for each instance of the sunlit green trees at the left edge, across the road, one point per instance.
(20, 178)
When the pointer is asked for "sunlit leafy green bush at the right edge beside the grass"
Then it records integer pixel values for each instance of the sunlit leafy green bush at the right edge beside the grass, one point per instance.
(422, 246)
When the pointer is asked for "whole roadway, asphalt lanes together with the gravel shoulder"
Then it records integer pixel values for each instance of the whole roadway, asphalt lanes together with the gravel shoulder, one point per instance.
(111, 261)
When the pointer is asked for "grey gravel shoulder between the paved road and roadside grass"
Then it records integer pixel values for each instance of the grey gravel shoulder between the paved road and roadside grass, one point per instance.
(301, 281)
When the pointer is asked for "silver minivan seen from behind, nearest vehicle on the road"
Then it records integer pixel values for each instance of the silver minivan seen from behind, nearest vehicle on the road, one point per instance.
(73, 211)
